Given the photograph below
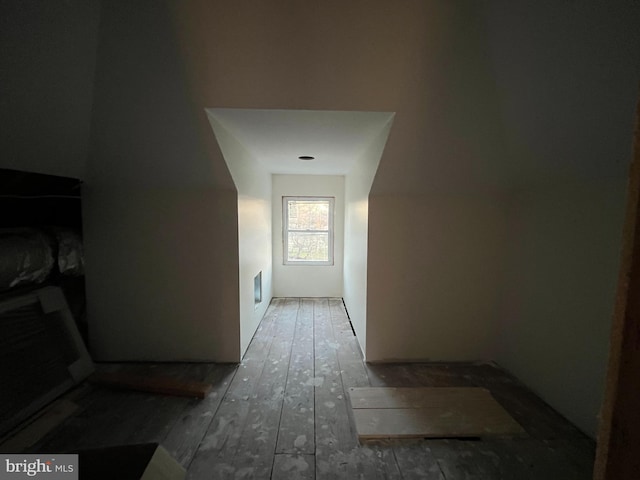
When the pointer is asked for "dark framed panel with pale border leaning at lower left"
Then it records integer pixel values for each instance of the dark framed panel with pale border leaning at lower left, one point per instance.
(41, 354)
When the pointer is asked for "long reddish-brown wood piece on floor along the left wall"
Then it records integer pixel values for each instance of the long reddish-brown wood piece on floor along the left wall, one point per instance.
(162, 385)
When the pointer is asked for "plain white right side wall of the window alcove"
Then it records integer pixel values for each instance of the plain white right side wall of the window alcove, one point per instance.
(357, 186)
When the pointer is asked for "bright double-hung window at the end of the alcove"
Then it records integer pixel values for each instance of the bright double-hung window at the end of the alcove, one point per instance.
(308, 230)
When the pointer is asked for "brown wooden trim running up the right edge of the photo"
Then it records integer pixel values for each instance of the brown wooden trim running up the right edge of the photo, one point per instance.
(617, 455)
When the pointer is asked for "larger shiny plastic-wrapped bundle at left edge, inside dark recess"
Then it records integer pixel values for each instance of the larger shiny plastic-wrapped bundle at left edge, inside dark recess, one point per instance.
(26, 257)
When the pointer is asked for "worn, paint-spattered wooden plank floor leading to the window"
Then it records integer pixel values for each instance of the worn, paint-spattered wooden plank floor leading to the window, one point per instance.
(283, 414)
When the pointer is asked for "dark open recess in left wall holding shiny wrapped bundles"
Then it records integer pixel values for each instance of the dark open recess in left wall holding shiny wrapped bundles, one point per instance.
(49, 208)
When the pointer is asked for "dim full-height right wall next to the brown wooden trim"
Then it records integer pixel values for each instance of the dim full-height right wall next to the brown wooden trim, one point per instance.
(567, 76)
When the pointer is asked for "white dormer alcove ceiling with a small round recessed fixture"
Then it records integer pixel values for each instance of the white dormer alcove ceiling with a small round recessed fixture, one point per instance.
(276, 138)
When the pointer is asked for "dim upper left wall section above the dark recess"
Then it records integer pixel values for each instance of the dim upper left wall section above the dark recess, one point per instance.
(48, 52)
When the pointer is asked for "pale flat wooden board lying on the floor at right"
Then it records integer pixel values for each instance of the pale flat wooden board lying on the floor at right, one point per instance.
(429, 412)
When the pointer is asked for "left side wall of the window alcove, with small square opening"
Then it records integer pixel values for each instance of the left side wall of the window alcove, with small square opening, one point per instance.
(253, 183)
